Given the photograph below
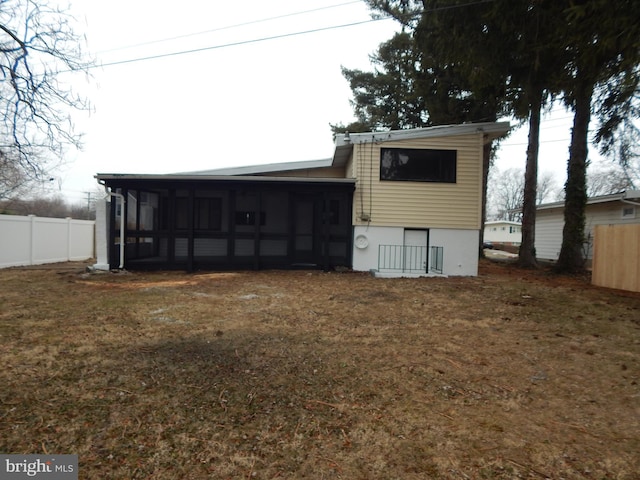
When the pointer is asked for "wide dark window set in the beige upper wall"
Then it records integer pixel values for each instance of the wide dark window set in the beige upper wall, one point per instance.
(418, 165)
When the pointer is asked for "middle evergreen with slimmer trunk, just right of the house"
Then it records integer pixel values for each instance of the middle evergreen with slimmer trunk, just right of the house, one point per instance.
(495, 57)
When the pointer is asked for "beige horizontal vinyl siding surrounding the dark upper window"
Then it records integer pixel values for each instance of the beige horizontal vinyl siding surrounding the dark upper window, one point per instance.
(420, 204)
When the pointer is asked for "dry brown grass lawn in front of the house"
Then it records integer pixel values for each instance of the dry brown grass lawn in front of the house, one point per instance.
(268, 375)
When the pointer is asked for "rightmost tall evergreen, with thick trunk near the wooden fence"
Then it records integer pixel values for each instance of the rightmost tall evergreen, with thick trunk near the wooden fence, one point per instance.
(602, 39)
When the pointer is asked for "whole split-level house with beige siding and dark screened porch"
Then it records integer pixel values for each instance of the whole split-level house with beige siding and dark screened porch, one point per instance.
(398, 202)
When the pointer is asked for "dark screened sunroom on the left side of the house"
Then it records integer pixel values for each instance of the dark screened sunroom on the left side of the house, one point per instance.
(214, 223)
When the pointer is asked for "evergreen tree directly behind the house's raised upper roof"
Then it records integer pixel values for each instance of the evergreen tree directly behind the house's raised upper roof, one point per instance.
(413, 85)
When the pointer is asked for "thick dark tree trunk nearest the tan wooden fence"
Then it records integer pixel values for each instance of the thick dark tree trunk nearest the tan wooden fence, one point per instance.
(571, 259)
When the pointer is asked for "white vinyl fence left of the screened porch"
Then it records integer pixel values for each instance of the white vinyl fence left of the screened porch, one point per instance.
(35, 240)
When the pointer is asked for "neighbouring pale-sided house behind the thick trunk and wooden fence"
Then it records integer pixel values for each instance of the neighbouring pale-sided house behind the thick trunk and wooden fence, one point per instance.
(619, 208)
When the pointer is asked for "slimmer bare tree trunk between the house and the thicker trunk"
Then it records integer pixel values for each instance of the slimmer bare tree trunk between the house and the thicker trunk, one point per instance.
(527, 253)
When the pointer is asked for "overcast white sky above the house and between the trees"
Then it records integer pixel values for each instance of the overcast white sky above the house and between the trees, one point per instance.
(230, 105)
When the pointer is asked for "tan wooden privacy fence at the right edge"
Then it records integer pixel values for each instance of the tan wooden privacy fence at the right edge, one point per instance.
(616, 257)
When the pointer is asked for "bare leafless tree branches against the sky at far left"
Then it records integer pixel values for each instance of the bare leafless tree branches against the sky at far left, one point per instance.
(38, 47)
